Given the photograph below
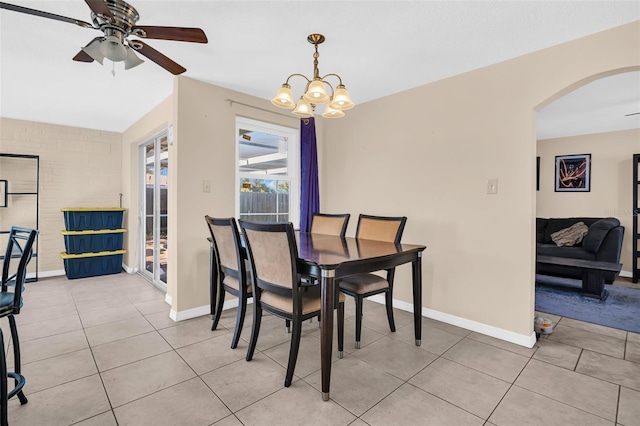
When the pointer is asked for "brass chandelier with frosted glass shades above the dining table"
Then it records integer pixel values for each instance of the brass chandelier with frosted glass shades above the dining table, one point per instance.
(315, 91)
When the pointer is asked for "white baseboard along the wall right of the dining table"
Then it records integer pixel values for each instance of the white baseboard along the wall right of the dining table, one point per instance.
(489, 330)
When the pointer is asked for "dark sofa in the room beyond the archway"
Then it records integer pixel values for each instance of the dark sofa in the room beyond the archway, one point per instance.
(603, 242)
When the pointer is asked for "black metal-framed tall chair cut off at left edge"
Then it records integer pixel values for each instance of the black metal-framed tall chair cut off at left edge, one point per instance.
(14, 274)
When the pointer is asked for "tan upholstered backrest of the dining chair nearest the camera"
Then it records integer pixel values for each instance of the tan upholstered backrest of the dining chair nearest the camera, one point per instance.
(273, 256)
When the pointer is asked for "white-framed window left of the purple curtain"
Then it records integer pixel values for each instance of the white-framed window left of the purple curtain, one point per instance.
(268, 185)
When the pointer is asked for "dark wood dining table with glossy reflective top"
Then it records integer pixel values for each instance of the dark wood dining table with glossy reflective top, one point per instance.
(329, 258)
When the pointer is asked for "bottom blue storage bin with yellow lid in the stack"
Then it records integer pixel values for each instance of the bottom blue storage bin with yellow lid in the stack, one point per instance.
(92, 264)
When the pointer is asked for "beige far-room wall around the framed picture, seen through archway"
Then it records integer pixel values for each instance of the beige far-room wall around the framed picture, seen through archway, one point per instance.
(611, 176)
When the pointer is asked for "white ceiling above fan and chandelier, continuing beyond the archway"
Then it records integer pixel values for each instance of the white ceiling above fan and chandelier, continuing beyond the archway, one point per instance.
(378, 47)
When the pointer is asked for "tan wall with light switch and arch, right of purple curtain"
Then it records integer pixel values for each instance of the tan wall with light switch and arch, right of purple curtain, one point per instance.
(427, 153)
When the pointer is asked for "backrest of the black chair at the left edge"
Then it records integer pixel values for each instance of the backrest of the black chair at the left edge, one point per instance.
(16, 258)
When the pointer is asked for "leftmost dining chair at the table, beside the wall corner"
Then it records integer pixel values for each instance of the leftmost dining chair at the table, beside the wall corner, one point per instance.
(228, 271)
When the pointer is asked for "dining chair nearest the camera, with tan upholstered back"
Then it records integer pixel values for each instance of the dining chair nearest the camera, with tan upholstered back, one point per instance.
(278, 289)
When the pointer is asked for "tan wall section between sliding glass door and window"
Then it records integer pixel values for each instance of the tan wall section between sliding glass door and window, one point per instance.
(205, 150)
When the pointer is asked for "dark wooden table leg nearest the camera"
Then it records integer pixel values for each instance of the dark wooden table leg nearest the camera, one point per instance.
(326, 330)
